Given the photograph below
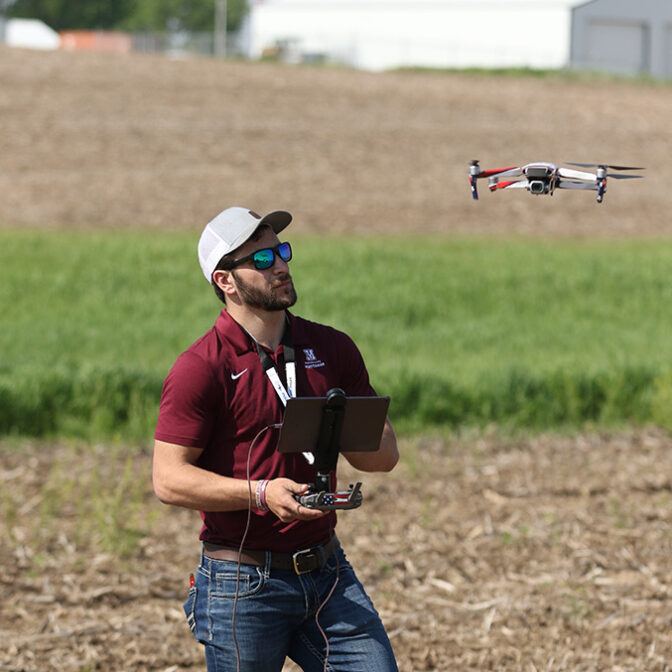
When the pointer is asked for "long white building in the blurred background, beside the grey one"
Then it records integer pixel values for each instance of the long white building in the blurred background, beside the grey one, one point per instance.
(384, 34)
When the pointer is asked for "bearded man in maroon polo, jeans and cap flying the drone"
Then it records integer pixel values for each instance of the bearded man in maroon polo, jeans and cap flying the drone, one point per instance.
(290, 592)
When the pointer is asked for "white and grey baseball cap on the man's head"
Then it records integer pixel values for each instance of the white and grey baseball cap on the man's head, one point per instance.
(229, 230)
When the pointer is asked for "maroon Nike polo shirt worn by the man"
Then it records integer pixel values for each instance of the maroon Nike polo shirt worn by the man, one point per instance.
(218, 397)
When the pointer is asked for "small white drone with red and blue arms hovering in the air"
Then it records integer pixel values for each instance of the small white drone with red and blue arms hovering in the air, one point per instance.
(544, 178)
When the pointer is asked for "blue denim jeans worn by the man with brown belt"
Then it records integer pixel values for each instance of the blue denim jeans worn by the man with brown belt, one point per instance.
(275, 618)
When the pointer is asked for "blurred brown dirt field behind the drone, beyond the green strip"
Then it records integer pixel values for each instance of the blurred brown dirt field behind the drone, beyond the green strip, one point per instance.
(107, 141)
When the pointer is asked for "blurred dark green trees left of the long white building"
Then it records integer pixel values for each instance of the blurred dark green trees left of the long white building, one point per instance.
(130, 15)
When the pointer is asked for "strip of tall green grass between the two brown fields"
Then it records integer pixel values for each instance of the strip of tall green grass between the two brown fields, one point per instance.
(460, 332)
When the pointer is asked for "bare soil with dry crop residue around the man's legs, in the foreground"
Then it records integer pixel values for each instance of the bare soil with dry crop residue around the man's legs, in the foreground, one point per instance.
(549, 553)
